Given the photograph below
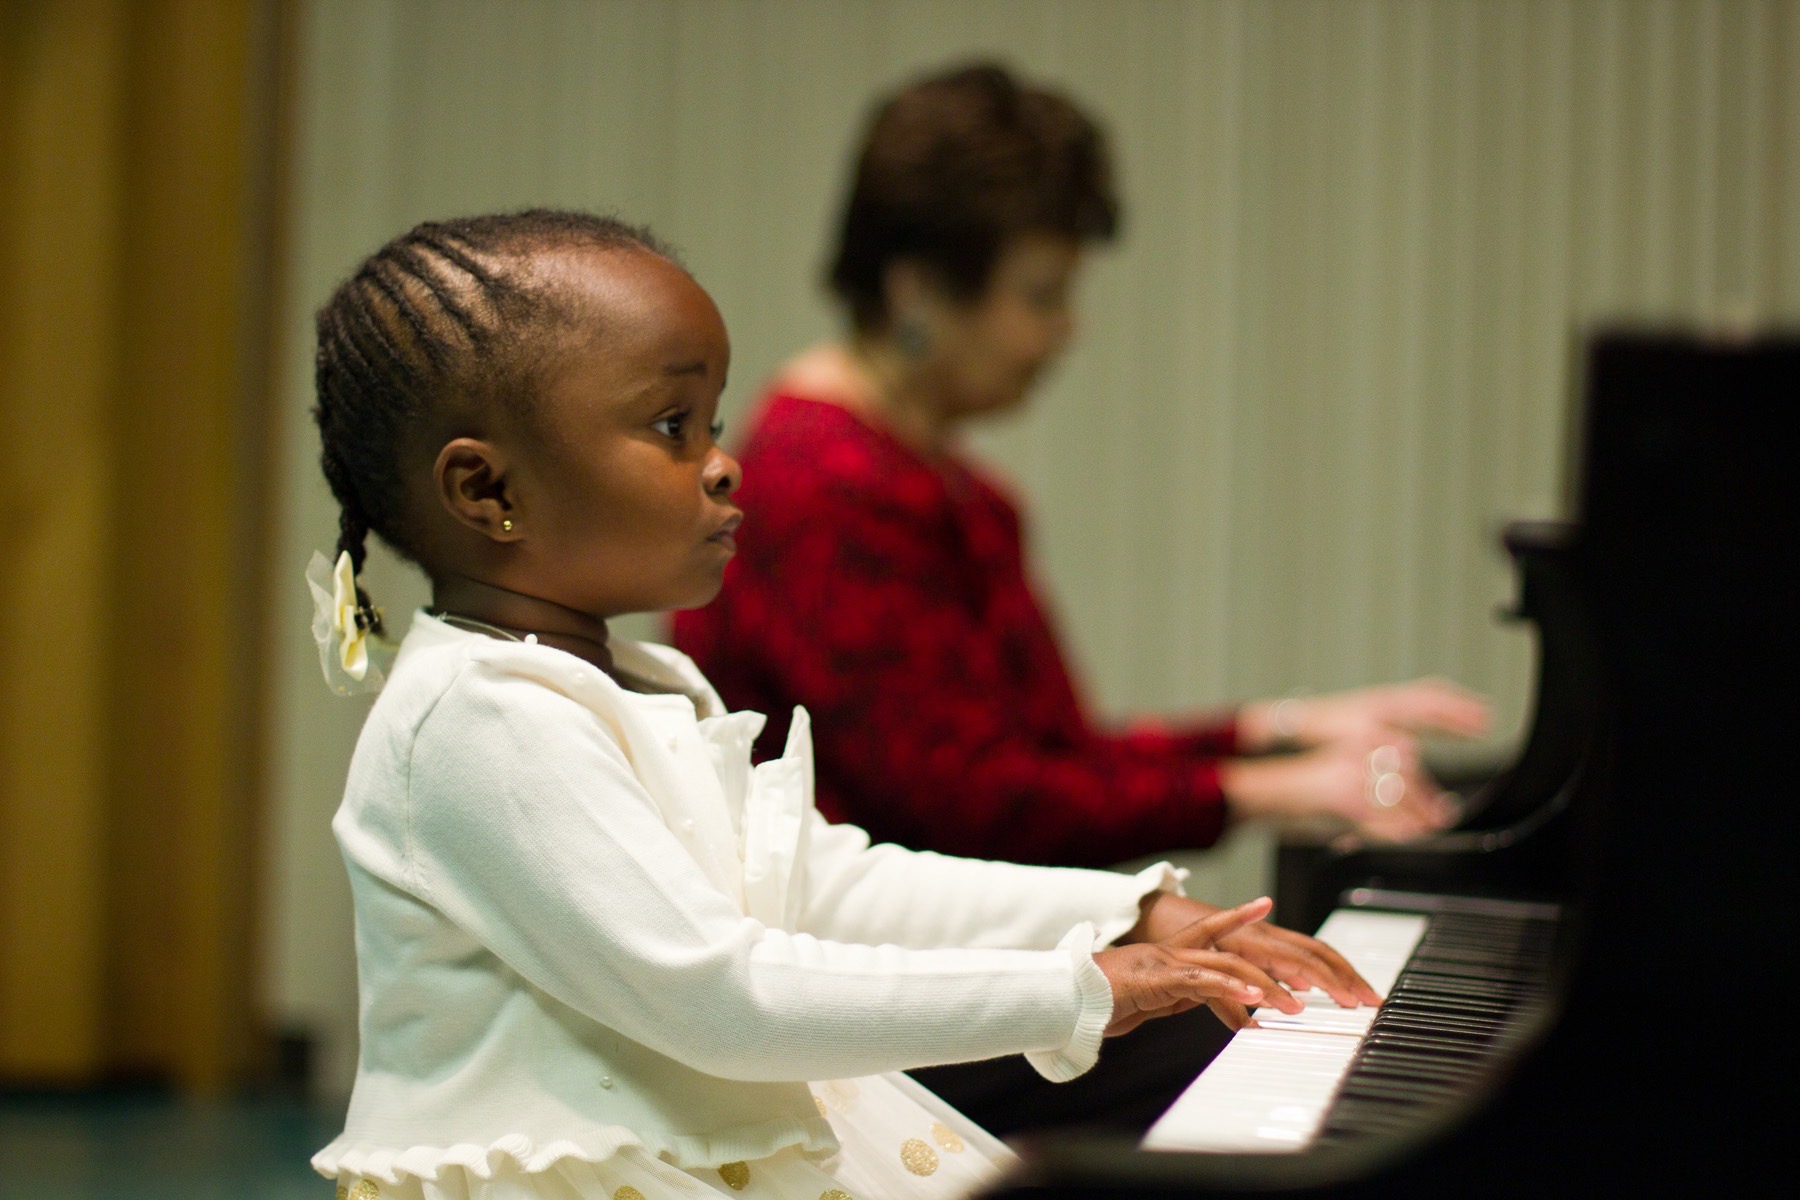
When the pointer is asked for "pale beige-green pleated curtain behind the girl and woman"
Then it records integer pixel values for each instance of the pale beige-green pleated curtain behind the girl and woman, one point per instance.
(1329, 359)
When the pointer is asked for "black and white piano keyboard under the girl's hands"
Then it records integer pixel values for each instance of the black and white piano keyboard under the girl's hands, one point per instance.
(1459, 983)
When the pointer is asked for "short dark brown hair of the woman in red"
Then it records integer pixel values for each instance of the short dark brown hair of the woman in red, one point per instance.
(957, 165)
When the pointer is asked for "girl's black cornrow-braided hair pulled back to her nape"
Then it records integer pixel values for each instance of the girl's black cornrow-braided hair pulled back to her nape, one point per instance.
(447, 314)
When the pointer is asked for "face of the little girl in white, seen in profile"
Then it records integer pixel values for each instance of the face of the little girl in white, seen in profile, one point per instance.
(633, 497)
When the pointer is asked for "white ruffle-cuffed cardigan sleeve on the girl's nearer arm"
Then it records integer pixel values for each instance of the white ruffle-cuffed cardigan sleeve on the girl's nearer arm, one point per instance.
(526, 827)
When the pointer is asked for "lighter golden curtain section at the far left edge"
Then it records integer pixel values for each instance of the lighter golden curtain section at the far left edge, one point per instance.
(60, 201)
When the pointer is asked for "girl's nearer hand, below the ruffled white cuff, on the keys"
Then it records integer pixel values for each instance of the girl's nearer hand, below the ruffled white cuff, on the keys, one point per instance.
(1182, 972)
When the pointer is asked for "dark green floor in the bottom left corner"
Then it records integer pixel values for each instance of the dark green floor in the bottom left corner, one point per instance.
(152, 1147)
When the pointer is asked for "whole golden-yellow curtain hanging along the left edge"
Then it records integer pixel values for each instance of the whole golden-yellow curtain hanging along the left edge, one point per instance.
(134, 260)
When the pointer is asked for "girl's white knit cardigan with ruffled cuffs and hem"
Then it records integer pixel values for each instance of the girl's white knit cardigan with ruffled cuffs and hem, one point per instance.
(586, 922)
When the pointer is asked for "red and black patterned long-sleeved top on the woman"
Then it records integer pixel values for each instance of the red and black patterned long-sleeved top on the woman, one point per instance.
(888, 595)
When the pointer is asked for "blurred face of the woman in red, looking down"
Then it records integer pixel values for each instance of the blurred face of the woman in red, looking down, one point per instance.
(989, 352)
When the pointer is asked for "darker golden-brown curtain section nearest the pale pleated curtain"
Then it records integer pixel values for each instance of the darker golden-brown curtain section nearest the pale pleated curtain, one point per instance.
(184, 569)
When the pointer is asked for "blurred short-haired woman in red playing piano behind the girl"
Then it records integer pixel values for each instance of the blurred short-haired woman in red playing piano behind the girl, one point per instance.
(879, 578)
